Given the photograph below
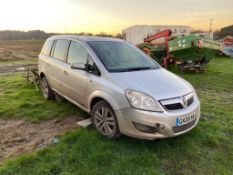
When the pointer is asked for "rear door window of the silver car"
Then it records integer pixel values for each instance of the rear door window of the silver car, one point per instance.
(61, 49)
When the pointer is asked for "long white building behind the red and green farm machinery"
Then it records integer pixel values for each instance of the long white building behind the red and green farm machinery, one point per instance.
(137, 33)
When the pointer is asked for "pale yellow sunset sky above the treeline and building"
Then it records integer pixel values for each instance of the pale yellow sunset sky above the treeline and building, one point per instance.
(111, 16)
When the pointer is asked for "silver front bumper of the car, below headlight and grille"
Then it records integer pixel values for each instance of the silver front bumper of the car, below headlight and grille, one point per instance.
(166, 121)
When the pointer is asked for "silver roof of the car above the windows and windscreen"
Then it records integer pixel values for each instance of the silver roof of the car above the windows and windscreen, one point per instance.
(85, 38)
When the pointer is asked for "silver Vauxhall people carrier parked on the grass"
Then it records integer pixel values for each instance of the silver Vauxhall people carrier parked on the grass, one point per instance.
(123, 89)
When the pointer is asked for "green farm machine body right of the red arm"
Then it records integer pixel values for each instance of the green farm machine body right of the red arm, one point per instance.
(193, 52)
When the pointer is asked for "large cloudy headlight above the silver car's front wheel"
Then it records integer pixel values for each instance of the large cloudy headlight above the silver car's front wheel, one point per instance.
(142, 101)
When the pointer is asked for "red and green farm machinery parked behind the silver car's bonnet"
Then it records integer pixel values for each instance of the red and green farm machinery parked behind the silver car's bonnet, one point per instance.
(190, 52)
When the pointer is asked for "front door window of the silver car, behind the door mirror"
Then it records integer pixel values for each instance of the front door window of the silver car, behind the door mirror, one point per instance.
(77, 53)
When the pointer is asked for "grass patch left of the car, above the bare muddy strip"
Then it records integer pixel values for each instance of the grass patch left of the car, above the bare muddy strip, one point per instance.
(21, 100)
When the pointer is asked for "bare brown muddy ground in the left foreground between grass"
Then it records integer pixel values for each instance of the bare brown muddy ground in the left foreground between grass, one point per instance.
(20, 136)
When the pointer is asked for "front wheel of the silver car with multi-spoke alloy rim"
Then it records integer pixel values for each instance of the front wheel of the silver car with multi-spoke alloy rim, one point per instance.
(104, 120)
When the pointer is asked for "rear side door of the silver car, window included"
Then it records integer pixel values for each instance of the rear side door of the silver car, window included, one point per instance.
(55, 66)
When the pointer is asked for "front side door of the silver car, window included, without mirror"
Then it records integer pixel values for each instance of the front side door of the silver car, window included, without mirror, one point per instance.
(74, 83)
